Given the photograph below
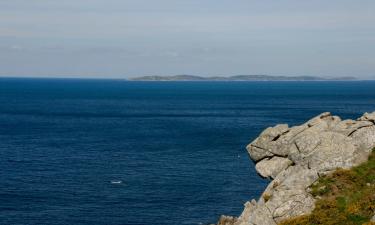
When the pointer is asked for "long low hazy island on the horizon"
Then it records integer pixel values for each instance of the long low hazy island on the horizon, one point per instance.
(237, 78)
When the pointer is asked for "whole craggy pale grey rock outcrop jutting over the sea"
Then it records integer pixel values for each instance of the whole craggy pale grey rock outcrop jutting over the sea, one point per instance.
(295, 157)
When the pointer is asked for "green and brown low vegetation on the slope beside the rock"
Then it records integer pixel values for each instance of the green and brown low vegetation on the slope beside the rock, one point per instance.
(346, 197)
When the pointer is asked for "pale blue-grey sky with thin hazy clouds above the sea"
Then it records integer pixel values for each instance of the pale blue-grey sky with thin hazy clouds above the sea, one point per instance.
(129, 38)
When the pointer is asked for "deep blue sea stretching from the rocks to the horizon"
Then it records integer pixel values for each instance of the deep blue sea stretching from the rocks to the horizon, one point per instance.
(178, 148)
